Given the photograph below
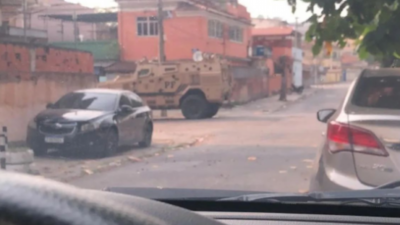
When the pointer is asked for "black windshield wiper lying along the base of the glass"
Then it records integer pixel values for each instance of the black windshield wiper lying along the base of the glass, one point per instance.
(376, 197)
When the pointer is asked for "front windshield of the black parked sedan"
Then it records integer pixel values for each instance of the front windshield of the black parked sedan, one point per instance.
(87, 101)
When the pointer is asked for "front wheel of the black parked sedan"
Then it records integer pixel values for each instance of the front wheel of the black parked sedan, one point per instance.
(109, 143)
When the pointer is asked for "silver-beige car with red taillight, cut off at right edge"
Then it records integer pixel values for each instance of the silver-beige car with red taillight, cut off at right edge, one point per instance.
(361, 148)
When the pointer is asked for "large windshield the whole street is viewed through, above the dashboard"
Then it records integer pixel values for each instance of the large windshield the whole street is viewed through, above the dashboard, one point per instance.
(298, 96)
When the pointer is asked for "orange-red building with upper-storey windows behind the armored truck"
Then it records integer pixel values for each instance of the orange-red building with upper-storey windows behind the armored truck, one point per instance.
(223, 29)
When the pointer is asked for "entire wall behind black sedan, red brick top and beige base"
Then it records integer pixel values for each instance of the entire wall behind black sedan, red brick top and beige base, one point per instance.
(32, 76)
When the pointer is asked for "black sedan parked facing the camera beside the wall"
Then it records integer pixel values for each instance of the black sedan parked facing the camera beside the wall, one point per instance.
(93, 120)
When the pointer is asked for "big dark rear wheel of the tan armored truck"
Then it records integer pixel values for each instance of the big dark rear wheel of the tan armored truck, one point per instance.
(194, 107)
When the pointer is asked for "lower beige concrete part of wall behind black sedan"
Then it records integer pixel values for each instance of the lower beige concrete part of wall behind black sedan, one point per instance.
(21, 100)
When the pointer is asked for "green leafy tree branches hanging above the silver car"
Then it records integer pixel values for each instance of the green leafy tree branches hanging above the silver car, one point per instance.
(373, 23)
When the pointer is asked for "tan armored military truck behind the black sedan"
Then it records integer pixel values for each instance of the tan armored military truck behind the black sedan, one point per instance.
(197, 88)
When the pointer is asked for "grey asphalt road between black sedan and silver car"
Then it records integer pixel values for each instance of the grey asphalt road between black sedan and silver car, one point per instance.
(257, 152)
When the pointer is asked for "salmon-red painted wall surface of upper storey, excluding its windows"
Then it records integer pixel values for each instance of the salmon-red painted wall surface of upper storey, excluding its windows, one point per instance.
(182, 34)
